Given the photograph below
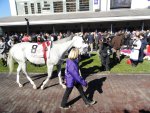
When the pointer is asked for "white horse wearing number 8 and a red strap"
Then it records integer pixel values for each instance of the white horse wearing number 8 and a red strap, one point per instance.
(32, 52)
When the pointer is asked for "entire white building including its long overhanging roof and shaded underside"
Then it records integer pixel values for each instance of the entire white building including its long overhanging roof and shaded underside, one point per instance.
(77, 15)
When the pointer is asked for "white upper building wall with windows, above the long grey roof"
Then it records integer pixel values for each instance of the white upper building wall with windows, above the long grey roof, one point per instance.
(32, 7)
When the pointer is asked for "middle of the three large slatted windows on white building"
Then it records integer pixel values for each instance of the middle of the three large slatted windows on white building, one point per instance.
(71, 5)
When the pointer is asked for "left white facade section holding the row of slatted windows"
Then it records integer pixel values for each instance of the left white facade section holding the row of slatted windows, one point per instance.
(31, 7)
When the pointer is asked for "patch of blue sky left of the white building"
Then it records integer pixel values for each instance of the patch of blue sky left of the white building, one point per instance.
(4, 8)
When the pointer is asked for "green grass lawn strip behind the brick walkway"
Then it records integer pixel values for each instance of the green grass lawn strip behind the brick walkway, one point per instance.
(92, 65)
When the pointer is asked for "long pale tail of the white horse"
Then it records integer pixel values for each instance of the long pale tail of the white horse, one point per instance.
(10, 62)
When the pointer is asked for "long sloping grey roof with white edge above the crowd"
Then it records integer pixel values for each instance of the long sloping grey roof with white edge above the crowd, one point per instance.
(78, 17)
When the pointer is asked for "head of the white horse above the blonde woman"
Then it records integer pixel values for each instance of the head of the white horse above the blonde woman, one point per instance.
(79, 43)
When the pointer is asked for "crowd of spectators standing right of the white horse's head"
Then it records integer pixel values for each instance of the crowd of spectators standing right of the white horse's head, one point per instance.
(110, 44)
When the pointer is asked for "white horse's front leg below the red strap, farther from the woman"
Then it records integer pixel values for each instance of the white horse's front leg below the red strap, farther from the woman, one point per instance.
(49, 70)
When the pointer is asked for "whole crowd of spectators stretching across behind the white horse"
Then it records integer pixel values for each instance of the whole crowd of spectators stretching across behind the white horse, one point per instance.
(106, 43)
